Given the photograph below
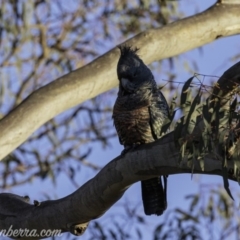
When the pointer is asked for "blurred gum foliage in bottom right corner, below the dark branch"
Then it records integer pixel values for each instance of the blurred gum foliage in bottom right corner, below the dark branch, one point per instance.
(211, 215)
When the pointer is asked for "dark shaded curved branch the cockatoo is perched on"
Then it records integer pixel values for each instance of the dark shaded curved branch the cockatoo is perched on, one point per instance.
(96, 196)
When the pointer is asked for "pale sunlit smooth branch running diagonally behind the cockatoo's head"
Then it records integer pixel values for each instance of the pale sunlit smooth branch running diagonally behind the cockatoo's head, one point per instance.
(100, 75)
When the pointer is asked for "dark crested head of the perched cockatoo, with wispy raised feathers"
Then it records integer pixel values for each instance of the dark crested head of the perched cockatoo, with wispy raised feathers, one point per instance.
(132, 73)
